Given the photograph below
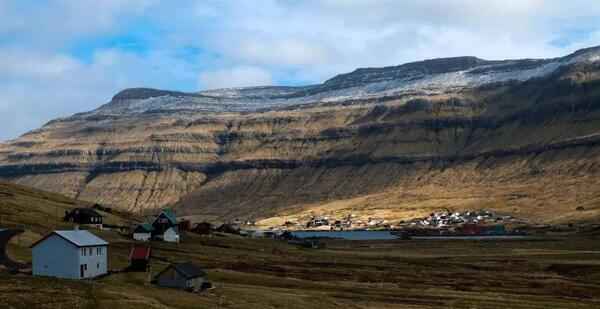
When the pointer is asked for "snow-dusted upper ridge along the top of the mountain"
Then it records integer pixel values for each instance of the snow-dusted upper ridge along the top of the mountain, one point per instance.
(428, 76)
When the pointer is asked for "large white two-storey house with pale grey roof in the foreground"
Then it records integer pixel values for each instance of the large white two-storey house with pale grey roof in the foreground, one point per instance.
(76, 254)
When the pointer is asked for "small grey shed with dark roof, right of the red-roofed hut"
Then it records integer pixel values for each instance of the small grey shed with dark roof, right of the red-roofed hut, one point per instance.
(187, 276)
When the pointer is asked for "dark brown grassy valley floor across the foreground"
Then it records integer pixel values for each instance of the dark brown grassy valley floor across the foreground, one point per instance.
(262, 273)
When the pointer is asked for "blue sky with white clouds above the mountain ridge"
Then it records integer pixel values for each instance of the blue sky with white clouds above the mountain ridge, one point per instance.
(60, 57)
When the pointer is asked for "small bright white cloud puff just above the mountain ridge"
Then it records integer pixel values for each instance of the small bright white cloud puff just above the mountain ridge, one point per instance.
(242, 76)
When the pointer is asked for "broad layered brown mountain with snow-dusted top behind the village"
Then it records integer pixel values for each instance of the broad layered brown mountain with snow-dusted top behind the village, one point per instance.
(517, 136)
